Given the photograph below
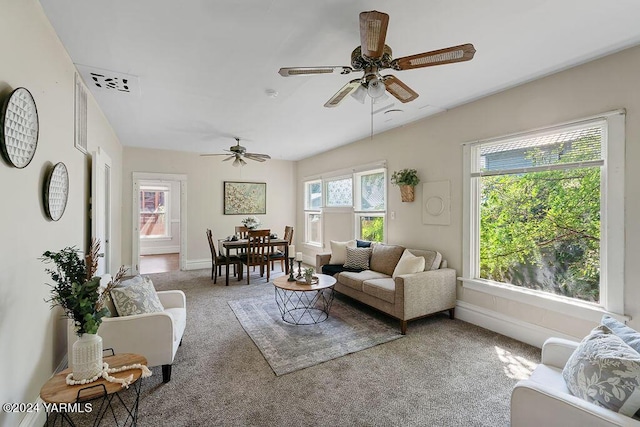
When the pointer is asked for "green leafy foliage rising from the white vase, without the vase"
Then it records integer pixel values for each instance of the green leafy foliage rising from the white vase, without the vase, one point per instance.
(76, 289)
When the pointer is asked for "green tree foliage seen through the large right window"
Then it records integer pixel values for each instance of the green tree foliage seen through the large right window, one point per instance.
(541, 230)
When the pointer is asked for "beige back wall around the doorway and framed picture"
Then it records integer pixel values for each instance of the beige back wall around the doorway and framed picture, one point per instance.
(205, 177)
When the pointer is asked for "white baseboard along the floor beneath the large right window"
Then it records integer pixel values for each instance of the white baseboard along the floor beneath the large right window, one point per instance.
(506, 325)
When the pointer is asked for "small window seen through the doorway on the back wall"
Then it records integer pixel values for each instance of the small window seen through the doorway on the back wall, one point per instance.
(154, 211)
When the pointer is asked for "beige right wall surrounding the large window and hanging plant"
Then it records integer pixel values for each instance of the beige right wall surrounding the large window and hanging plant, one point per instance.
(433, 147)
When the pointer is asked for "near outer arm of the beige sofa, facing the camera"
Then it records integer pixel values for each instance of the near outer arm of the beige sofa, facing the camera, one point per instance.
(426, 292)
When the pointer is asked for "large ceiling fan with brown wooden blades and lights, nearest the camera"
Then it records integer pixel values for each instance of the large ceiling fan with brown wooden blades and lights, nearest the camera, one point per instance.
(372, 56)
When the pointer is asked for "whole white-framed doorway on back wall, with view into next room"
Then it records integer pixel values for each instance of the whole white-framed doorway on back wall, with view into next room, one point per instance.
(158, 226)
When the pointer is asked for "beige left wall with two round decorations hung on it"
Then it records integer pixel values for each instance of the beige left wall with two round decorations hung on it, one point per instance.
(32, 337)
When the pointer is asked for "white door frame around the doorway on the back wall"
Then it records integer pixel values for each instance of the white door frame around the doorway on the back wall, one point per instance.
(135, 244)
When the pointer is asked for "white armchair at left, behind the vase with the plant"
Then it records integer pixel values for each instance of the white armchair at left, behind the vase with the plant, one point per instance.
(156, 336)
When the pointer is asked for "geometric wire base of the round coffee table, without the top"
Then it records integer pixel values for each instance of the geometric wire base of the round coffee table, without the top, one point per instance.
(304, 307)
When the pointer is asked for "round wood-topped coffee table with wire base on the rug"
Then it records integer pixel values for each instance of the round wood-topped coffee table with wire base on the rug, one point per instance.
(302, 303)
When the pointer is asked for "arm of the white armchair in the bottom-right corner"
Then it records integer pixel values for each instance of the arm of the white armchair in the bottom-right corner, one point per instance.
(534, 404)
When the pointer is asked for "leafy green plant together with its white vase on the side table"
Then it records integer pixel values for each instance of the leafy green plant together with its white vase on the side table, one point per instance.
(77, 292)
